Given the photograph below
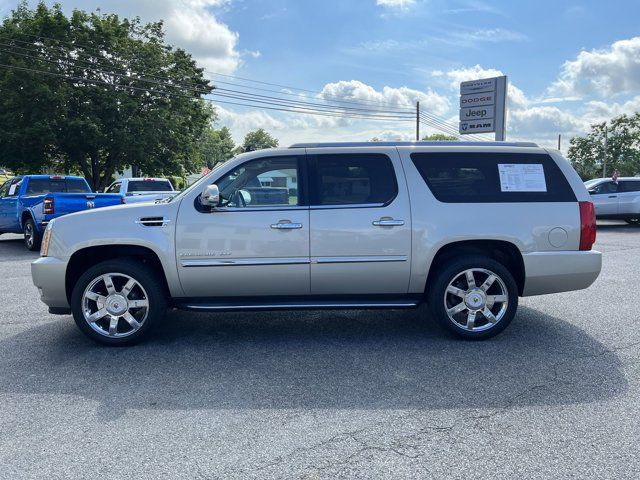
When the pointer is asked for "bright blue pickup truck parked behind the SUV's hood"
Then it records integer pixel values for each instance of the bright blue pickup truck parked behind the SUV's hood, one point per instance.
(28, 203)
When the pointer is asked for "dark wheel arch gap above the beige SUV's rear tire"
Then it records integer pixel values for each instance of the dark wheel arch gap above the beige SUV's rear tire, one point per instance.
(503, 251)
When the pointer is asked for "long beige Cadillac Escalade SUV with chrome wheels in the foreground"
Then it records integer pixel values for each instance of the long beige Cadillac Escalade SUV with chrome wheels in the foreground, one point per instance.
(466, 227)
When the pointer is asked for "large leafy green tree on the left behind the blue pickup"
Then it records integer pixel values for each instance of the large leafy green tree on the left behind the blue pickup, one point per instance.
(94, 93)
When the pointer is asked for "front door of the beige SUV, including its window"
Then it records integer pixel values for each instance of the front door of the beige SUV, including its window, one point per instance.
(256, 242)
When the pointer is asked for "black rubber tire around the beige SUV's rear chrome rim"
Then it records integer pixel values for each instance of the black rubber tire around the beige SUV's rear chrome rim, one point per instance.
(453, 270)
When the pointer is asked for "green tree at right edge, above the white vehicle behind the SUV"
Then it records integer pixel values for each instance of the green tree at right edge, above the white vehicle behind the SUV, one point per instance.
(623, 148)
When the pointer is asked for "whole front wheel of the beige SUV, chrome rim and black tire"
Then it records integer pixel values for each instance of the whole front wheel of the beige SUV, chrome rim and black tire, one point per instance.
(116, 302)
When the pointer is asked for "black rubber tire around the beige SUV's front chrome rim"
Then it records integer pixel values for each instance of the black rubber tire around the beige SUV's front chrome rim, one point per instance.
(152, 287)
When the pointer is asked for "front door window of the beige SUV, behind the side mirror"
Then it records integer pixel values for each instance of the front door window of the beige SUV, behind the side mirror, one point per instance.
(261, 183)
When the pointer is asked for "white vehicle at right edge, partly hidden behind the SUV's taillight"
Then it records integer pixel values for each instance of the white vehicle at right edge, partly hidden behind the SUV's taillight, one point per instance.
(616, 199)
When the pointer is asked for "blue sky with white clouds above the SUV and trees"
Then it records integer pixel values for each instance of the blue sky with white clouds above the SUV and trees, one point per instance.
(569, 63)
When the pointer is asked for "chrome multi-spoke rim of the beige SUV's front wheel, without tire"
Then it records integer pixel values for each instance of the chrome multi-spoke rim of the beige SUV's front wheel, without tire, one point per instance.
(115, 305)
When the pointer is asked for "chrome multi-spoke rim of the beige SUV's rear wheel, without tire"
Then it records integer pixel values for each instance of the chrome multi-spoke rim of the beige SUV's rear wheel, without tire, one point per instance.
(476, 299)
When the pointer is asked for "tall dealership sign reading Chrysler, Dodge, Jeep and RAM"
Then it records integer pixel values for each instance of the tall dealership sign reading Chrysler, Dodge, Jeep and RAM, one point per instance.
(483, 106)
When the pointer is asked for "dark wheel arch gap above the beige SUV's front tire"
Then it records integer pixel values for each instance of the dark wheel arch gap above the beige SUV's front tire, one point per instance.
(85, 258)
